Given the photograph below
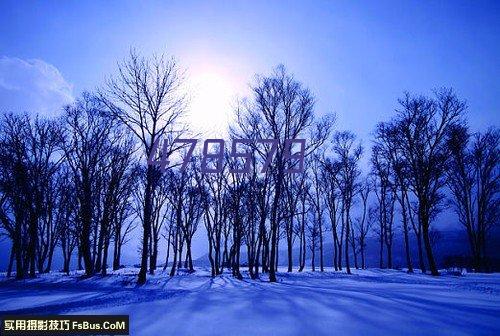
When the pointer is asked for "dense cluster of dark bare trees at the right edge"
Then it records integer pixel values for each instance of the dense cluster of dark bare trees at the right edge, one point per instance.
(424, 159)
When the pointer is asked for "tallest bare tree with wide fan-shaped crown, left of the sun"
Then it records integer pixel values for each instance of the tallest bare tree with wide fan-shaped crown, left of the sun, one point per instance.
(147, 97)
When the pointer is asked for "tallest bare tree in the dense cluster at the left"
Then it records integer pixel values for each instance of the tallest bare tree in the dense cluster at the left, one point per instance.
(86, 147)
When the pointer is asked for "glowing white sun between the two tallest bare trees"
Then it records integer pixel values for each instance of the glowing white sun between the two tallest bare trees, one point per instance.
(212, 94)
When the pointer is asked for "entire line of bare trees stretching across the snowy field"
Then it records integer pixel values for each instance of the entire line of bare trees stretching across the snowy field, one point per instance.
(80, 185)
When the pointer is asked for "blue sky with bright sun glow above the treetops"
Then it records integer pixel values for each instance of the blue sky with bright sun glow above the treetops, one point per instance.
(356, 57)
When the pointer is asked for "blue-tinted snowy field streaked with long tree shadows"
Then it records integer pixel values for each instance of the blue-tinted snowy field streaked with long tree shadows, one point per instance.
(371, 302)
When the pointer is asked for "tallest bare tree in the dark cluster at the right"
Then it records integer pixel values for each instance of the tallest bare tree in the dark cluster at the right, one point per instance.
(422, 126)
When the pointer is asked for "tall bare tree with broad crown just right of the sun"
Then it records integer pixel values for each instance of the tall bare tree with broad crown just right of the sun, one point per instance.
(281, 108)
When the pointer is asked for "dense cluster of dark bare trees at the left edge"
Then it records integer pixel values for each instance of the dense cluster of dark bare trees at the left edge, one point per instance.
(65, 183)
